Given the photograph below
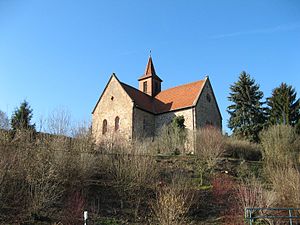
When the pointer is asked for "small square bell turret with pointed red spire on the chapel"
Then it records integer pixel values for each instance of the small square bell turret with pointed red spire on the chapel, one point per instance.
(149, 82)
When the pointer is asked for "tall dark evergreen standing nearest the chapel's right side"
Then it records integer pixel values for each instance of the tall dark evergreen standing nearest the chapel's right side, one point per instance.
(246, 113)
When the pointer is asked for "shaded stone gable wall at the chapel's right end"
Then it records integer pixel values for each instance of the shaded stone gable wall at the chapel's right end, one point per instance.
(206, 109)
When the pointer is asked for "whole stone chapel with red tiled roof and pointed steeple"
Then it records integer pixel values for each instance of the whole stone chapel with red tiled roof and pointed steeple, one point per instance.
(130, 113)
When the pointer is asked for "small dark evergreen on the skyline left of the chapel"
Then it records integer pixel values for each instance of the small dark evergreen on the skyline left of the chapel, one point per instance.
(21, 118)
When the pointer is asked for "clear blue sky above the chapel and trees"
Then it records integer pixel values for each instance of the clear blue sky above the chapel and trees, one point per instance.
(56, 53)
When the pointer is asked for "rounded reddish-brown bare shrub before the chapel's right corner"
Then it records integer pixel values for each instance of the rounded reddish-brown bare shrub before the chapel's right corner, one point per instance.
(209, 147)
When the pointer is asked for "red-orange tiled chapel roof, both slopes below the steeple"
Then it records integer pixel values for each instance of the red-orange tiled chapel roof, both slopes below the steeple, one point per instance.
(168, 100)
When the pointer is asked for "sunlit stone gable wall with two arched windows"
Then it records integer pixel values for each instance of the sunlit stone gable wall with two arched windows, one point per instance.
(114, 102)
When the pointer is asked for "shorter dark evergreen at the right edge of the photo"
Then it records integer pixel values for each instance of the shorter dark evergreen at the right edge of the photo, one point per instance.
(283, 106)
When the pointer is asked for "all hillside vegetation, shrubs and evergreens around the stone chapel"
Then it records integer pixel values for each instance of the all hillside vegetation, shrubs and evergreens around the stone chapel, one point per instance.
(50, 179)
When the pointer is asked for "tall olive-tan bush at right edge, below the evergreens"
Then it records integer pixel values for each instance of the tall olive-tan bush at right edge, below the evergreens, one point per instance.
(280, 145)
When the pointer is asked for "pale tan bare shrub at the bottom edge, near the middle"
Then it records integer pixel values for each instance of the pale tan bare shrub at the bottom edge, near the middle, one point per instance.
(173, 202)
